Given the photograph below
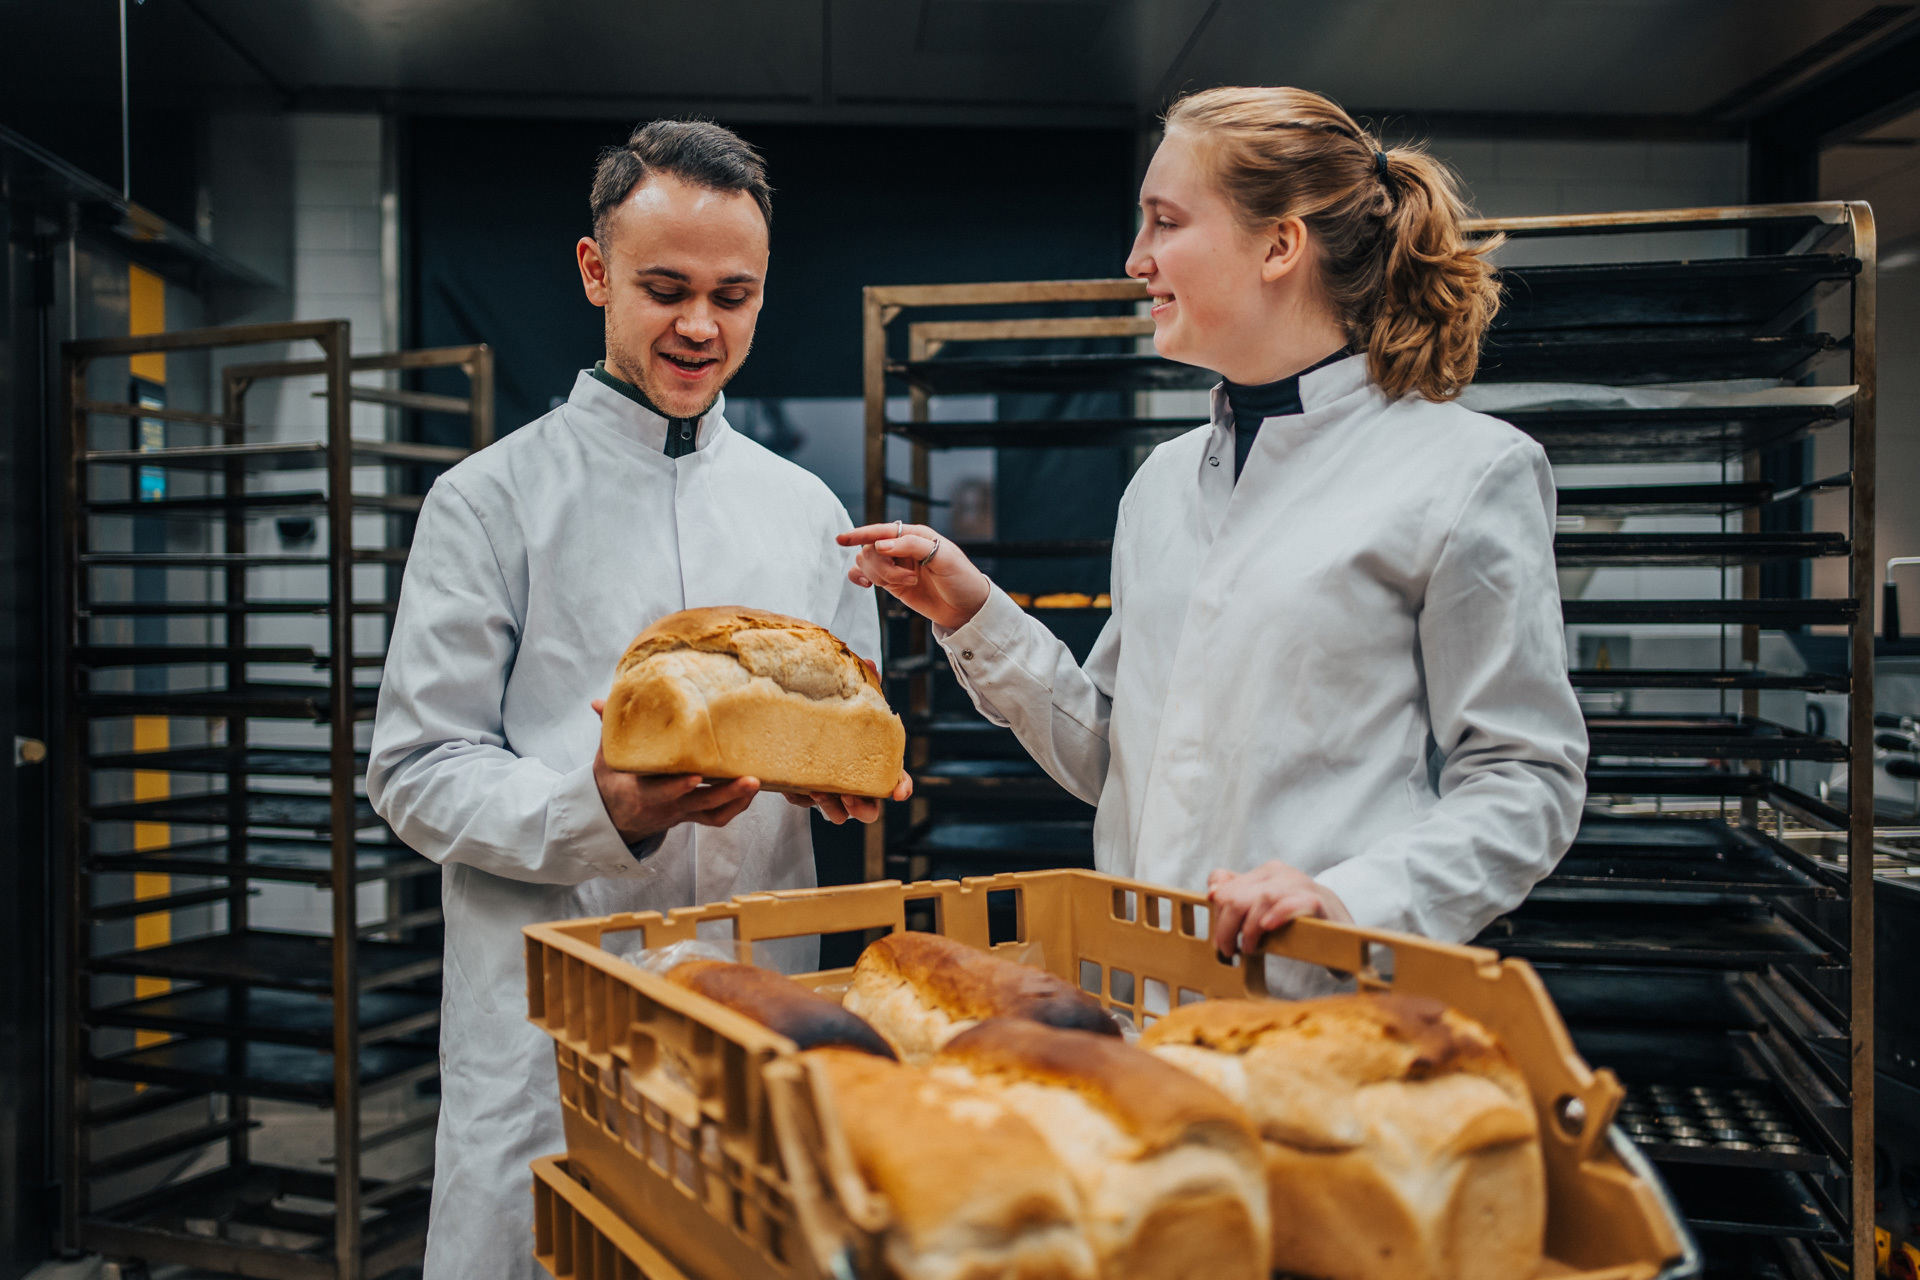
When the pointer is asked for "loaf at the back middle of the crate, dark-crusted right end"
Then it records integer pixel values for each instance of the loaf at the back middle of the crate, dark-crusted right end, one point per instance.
(923, 989)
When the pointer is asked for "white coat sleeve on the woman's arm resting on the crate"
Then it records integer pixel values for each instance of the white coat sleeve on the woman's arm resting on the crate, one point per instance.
(1504, 721)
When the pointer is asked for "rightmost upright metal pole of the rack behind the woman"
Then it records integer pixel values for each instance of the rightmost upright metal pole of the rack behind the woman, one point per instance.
(1861, 747)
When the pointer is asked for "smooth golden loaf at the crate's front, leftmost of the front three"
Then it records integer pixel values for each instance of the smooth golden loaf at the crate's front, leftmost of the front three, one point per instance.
(972, 1191)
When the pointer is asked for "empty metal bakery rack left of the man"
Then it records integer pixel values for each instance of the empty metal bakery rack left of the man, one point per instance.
(249, 945)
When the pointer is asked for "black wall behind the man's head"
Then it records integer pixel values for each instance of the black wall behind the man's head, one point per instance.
(496, 210)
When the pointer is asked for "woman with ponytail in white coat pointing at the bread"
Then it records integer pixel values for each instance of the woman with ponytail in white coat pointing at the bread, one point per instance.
(1335, 678)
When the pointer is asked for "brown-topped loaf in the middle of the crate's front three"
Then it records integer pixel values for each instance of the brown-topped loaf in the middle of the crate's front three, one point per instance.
(1166, 1168)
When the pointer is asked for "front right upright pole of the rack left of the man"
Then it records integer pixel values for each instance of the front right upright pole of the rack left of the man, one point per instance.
(339, 350)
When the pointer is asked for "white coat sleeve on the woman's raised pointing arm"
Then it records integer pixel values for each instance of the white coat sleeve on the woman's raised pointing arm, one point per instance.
(1024, 678)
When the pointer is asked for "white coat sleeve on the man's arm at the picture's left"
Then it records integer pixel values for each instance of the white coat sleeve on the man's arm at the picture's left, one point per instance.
(441, 770)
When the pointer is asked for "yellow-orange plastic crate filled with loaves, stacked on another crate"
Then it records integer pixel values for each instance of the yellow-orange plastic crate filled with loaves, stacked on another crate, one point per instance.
(671, 1108)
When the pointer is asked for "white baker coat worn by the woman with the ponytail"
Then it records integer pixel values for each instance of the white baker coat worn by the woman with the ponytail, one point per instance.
(1351, 663)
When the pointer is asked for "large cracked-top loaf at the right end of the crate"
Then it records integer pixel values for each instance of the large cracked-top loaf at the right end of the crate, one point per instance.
(1401, 1139)
